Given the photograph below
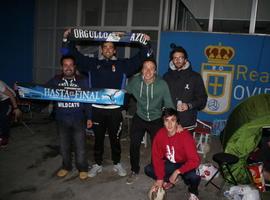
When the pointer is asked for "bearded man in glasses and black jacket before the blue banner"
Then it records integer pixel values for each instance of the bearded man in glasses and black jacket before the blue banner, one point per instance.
(186, 87)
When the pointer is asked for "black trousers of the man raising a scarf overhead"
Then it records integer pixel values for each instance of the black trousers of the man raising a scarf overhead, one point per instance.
(110, 121)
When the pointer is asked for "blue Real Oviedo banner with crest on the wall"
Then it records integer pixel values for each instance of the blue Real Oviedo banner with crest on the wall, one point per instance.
(233, 66)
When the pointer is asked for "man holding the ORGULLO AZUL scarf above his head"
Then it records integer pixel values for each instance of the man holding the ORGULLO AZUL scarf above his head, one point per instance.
(107, 72)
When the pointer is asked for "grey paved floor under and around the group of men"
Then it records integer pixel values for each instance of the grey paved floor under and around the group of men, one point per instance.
(29, 163)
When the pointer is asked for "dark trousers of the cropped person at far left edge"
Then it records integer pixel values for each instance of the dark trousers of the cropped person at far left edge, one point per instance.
(5, 119)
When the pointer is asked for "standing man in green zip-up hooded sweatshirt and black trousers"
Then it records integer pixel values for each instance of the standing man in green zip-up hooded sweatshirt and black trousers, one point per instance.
(152, 94)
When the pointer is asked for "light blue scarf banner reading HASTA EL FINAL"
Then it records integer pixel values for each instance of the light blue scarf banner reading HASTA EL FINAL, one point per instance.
(69, 94)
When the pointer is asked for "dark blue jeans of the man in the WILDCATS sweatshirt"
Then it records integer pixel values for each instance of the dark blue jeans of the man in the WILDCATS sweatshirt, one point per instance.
(71, 132)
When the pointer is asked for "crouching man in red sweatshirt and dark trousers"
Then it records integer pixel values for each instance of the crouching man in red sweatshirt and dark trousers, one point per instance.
(174, 153)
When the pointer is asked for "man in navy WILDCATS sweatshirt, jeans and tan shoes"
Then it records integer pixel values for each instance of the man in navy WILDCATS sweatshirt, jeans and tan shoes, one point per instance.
(70, 118)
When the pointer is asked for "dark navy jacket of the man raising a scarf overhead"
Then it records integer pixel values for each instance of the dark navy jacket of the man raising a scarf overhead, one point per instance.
(104, 73)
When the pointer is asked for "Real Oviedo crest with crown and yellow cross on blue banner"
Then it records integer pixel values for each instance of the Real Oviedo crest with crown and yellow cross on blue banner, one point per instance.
(218, 78)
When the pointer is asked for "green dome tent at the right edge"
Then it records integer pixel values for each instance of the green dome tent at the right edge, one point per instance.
(243, 131)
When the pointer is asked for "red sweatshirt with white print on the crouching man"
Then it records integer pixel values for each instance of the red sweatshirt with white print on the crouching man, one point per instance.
(179, 148)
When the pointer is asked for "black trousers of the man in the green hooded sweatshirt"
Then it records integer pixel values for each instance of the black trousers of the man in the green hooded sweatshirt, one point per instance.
(138, 129)
